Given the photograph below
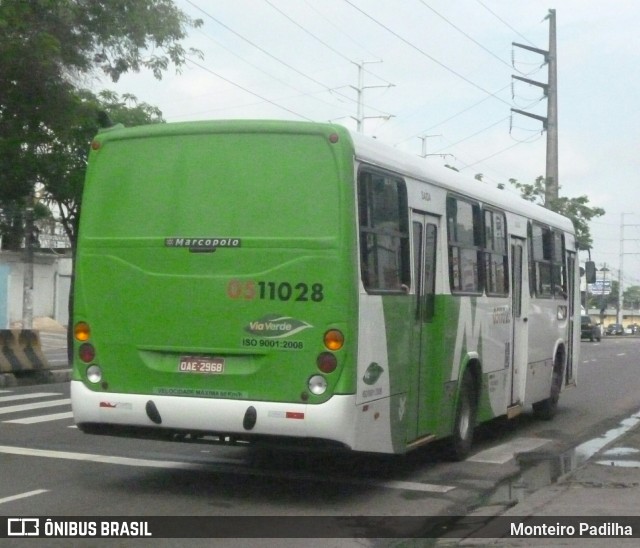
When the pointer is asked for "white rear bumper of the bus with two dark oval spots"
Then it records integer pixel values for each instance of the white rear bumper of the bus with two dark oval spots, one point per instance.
(173, 417)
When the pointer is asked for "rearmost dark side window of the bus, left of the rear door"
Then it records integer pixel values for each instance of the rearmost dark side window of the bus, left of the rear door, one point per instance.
(384, 232)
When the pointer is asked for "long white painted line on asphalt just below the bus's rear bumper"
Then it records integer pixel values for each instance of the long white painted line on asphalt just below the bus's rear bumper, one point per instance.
(147, 463)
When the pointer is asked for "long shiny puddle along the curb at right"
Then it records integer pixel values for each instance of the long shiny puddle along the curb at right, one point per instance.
(541, 469)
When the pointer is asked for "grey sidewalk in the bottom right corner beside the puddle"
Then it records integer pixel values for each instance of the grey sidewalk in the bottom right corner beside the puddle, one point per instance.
(600, 491)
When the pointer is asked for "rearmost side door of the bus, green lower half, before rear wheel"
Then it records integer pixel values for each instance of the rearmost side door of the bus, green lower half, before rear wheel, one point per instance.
(425, 238)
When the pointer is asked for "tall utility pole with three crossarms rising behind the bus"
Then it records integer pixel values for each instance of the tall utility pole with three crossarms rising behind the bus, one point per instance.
(550, 122)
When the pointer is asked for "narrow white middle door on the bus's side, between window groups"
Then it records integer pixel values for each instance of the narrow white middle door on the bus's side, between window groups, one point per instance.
(519, 308)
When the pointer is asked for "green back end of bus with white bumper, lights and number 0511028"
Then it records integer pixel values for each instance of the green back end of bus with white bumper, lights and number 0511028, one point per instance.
(215, 283)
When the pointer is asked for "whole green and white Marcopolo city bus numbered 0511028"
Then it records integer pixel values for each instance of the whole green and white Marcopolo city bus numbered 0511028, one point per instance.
(243, 281)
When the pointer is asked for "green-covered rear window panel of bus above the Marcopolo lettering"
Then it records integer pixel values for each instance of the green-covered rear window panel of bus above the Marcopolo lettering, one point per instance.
(217, 185)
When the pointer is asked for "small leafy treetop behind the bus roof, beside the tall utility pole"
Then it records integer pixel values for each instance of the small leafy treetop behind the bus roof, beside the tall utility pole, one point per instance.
(576, 209)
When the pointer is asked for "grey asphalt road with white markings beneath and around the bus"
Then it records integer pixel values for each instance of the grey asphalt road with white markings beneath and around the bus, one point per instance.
(49, 468)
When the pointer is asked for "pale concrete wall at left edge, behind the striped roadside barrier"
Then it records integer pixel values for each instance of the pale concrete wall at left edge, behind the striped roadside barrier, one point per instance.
(51, 285)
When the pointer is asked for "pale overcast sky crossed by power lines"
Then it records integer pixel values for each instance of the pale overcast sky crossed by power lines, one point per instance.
(438, 71)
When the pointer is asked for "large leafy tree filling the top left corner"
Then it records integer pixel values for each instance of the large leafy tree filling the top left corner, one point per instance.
(48, 49)
